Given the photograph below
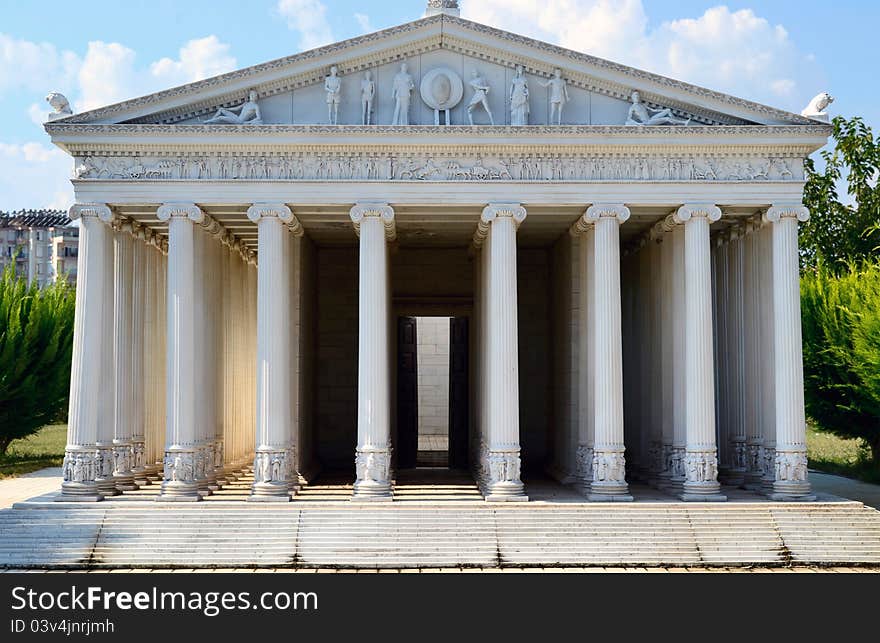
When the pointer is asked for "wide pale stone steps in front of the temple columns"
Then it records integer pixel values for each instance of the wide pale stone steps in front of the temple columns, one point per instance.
(397, 535)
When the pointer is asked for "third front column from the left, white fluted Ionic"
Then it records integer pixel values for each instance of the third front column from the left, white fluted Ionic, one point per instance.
(272, 466)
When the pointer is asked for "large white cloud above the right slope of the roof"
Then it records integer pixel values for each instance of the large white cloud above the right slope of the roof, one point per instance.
(737, 52)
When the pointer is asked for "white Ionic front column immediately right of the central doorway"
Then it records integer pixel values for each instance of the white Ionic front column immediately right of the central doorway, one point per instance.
(496, 236)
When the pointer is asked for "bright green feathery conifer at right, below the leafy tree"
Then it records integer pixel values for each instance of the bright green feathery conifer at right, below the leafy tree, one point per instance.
(841, 325)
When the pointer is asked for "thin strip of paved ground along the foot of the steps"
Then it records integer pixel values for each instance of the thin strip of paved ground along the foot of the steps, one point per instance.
(456, 570)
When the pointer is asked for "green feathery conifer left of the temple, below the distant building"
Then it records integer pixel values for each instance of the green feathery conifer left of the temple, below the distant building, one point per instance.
(36, 339)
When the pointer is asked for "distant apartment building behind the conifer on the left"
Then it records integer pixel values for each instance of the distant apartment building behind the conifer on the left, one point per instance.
(42, 243)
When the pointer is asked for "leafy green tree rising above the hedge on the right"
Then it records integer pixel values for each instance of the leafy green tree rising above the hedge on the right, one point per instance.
(840, 232)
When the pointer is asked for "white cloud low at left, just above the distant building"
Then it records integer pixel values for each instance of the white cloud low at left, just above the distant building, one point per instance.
(33, 175)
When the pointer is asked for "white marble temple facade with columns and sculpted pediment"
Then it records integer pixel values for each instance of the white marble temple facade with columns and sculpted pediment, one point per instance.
(669, 213)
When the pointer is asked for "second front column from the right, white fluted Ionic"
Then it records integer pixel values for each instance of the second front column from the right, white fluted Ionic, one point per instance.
(701, 453)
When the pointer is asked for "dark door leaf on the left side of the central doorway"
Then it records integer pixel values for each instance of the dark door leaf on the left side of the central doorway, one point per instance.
(407, 393)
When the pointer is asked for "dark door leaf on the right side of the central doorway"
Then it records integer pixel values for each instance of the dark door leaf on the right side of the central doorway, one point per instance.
(458, 393)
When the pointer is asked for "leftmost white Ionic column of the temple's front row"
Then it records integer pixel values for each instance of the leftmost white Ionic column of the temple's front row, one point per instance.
(90, 378)
